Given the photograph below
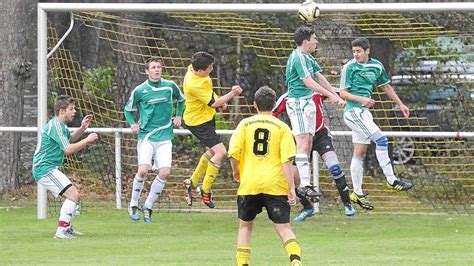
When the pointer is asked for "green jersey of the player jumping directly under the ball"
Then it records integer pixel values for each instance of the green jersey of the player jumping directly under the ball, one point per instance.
(299, 66)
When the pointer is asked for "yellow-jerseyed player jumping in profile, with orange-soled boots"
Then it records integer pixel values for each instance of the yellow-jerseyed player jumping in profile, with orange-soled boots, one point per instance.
(199, 112)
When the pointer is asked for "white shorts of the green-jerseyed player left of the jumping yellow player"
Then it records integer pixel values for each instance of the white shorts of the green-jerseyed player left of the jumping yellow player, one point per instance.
(155, 154)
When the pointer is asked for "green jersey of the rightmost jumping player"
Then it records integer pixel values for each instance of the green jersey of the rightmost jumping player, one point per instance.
(360, 79)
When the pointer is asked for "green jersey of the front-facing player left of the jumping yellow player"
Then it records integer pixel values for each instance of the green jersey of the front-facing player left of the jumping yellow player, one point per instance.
(154, 102)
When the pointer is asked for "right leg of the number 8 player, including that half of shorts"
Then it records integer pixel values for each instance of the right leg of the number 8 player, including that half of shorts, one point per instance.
(278, 211)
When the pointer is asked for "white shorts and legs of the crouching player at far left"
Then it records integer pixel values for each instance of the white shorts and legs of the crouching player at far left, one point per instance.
(60, 185)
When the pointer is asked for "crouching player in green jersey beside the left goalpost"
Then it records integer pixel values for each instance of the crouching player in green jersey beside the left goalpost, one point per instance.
(55, 142)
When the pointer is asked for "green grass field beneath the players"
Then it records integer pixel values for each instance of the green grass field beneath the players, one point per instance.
(209, 239)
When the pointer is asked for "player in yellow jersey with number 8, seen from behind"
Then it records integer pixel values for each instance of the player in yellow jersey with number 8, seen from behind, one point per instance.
(261, 152)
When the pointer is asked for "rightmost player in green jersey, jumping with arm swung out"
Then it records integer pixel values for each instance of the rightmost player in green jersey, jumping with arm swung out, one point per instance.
(359, 76)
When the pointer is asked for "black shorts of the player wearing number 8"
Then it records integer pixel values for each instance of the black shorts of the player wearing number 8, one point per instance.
(278, 208)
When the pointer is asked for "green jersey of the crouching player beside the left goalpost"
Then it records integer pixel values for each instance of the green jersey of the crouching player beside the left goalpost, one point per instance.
(49, 154)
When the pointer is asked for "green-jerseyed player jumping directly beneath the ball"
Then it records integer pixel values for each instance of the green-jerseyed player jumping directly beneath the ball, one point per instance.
(303, 78)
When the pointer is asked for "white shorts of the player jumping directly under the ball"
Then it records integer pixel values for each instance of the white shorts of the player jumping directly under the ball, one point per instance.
(302, 114)
